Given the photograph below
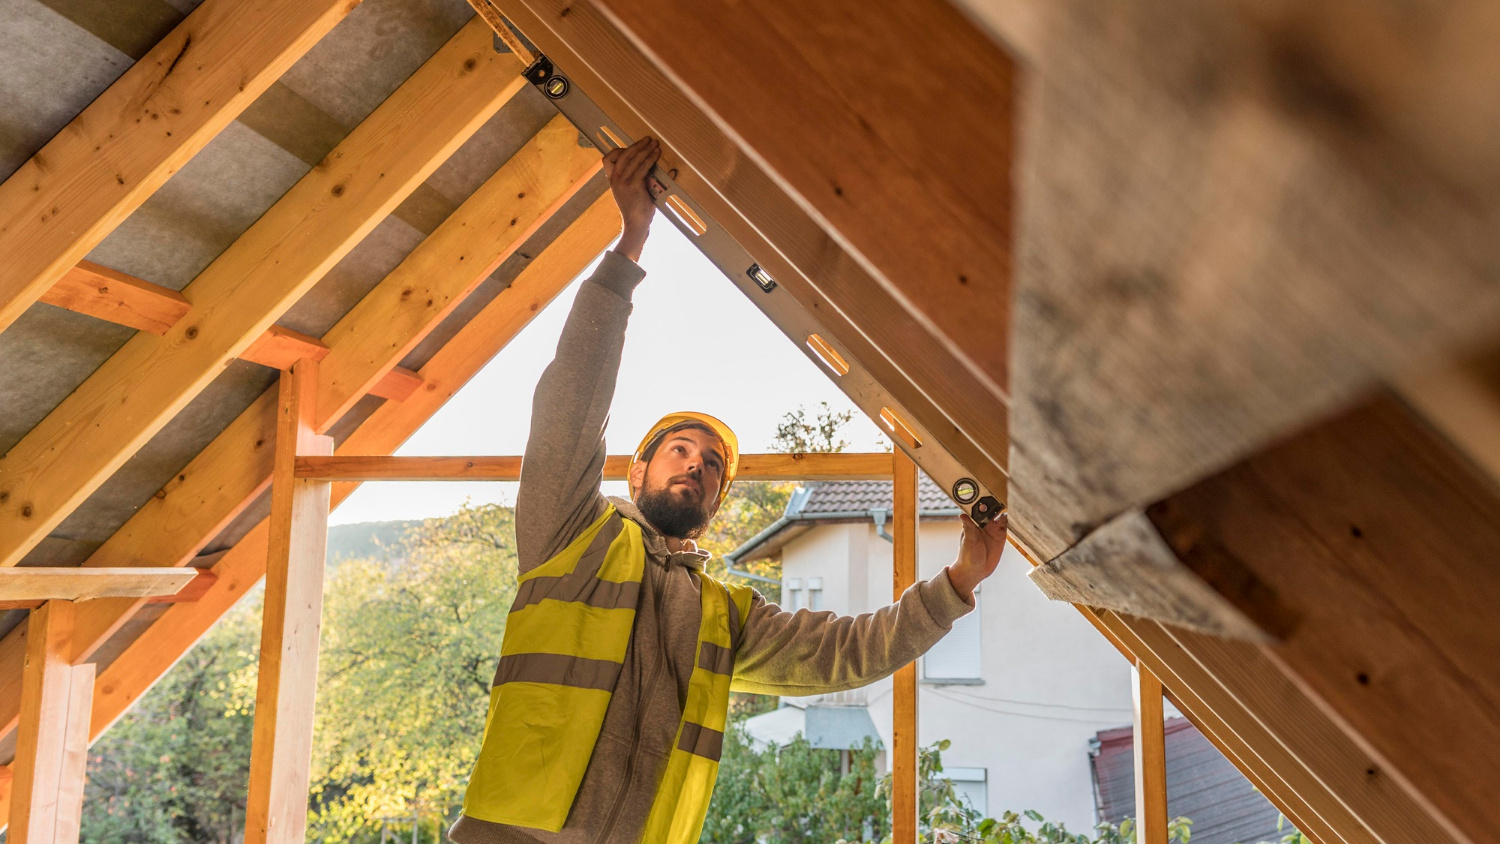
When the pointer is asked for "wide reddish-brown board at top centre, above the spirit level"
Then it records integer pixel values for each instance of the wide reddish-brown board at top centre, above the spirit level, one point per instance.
(847, 152)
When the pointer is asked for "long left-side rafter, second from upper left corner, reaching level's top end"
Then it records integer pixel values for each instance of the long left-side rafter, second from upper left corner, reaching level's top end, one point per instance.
(238, 298)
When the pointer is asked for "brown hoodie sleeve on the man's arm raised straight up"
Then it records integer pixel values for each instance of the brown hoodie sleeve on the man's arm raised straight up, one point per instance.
(565, 461)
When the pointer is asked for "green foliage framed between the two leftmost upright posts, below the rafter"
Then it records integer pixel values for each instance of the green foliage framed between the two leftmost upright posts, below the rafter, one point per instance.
(175, 770)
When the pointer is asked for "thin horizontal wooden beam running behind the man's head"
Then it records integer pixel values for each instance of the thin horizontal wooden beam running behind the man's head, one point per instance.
(752, 468)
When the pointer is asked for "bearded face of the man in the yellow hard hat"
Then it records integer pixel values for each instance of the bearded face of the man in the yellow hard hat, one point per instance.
(679, 488)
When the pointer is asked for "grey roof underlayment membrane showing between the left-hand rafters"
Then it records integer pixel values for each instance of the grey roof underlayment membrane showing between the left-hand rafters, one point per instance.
(56, 56)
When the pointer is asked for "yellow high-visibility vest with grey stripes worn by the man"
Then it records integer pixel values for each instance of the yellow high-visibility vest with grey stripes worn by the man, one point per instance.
(565, 647)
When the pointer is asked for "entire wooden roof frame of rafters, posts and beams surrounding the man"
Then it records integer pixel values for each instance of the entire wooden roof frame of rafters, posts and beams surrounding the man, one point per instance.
(1307, 575)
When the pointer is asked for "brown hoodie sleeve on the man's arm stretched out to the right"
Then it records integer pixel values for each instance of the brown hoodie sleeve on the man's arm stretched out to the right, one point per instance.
(820, 653)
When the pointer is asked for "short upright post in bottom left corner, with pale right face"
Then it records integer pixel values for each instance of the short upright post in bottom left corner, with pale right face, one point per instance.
(53, 743)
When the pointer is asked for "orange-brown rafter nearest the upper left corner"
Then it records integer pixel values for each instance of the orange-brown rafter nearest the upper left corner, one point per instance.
(140, 131)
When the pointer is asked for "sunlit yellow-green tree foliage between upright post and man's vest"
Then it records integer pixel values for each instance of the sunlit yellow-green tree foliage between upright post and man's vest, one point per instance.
(406, 675)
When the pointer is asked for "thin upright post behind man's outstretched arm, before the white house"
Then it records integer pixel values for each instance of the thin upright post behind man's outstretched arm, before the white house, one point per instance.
(904, 732)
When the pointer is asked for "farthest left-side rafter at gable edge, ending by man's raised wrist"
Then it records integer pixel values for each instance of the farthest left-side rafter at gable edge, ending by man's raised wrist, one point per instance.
(239, 569)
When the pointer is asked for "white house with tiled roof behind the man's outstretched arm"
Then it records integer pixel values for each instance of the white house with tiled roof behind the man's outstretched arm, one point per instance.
(1022, 686)
